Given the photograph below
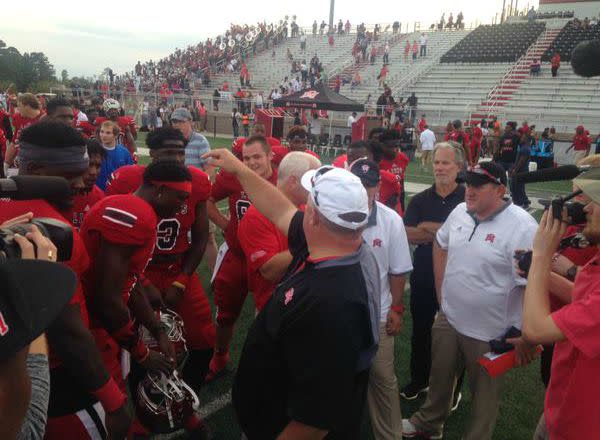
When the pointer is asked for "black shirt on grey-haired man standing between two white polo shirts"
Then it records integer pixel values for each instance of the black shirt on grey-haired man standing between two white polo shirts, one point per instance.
(429, 206)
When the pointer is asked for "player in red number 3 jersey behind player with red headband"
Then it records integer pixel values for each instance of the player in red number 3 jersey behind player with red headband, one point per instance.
(172, 269)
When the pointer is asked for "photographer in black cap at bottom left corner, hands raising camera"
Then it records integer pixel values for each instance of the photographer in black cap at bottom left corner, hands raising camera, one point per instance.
(25, 314)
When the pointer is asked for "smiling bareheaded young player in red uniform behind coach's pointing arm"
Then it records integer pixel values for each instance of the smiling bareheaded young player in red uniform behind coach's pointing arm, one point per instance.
(230, 284)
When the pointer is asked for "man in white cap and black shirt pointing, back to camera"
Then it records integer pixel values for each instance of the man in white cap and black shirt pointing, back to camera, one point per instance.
(305, 364)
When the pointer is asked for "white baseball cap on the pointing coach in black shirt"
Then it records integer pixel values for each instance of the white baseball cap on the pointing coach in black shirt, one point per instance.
(338, 195)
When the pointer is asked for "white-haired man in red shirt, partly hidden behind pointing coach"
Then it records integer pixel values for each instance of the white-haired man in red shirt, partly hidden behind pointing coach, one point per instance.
(265, 246)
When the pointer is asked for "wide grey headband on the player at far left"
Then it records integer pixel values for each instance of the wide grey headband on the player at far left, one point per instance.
(70, 159)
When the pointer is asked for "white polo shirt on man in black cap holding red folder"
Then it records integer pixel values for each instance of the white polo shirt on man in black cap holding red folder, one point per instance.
(482, 295)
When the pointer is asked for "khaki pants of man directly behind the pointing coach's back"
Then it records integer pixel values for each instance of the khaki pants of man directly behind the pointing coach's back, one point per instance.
(383, 398)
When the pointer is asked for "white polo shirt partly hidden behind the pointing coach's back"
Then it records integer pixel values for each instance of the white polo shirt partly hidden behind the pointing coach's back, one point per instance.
(386, 236)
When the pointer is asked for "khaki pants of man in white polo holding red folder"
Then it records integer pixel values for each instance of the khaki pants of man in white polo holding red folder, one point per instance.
(450, 353)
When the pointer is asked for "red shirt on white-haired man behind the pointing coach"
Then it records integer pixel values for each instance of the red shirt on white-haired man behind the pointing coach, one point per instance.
(260, 240)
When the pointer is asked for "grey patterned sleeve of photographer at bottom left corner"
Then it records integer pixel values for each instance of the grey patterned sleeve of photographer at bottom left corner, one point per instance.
(34, 424)
